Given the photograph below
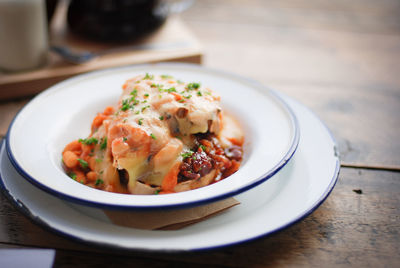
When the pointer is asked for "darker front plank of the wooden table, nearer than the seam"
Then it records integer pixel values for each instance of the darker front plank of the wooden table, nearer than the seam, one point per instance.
(348, 229)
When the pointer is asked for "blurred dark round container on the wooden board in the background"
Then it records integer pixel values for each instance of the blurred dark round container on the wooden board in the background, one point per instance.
(115, 20)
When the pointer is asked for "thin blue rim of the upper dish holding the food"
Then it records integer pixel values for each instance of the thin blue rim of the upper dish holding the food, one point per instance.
(286, 158)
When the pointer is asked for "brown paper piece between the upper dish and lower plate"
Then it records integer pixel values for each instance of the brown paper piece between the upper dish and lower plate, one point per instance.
(169, 219)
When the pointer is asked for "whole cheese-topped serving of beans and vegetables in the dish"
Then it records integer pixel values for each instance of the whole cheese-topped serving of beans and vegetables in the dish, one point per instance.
(163, 136)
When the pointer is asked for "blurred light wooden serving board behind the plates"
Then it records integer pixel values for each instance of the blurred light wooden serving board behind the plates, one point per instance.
(172, 42)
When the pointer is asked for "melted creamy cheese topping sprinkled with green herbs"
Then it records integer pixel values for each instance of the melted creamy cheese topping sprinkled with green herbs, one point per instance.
(152, 112)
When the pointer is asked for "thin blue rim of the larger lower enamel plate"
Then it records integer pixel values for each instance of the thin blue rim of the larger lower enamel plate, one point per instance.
(26, 212)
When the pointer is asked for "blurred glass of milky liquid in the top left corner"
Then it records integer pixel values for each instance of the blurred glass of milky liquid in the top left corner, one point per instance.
(23, 34)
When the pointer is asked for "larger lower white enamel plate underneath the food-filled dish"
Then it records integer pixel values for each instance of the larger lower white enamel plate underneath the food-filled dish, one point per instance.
(297, 190)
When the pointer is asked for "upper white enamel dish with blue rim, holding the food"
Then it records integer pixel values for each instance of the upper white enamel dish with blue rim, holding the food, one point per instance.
(64, 113)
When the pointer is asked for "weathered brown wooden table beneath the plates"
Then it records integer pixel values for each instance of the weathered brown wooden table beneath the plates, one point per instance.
(340, 58)
